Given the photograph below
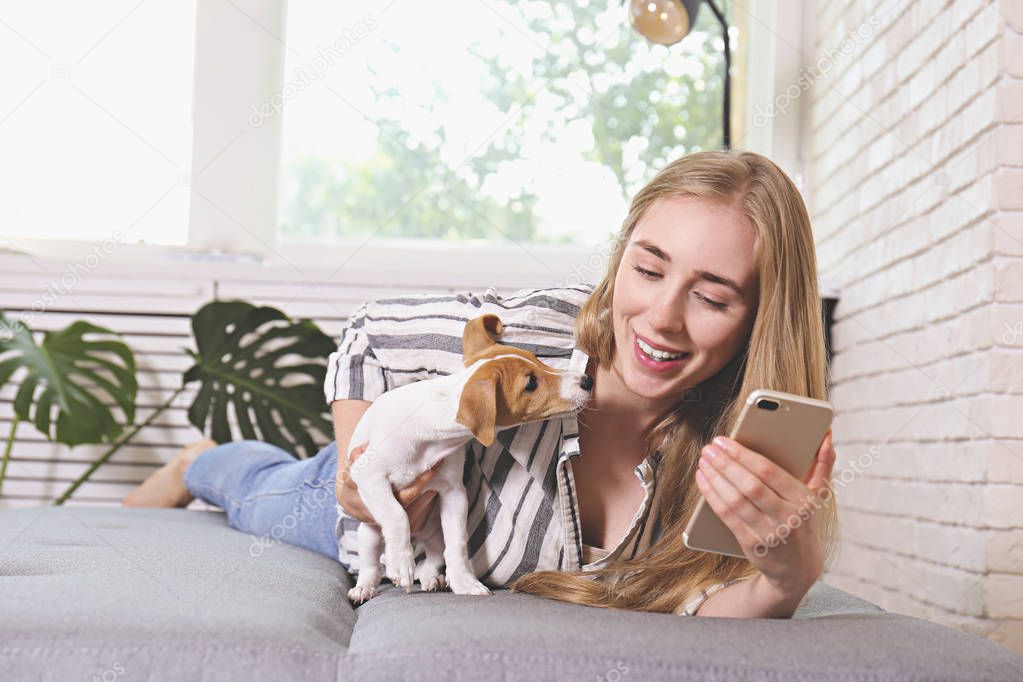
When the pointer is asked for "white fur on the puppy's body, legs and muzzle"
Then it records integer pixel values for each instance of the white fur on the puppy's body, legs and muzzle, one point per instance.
(409, 431)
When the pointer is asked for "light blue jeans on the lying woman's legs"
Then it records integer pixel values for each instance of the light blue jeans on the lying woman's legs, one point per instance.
(270, 494)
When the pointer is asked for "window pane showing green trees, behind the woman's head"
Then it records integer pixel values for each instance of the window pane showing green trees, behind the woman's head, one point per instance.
(531, 122)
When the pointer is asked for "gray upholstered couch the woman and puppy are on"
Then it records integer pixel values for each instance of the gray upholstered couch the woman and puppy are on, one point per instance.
(140, 595)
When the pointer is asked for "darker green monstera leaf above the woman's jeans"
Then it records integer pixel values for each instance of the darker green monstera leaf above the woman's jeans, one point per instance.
(242, 363)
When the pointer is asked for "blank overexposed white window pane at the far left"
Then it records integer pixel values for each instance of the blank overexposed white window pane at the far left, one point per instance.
(96, 120)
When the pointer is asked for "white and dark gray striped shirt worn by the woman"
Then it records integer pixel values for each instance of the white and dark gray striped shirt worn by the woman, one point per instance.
(523, 509)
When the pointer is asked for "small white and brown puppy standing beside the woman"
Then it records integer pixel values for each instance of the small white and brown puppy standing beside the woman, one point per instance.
(418, 426)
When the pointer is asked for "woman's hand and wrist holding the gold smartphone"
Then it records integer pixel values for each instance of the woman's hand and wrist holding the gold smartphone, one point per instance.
(774, 516)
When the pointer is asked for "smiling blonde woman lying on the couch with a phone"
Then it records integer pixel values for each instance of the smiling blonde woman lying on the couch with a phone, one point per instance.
(710, 294)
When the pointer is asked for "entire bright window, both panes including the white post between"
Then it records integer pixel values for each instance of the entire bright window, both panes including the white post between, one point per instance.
(269, 131)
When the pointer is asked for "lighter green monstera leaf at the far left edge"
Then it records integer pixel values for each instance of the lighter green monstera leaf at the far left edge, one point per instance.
(69, 375)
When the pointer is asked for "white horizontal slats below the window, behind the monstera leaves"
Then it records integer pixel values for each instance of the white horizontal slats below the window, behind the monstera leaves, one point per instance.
(153, 314)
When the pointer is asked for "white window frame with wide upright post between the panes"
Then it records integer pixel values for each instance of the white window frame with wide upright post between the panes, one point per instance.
(237, 167)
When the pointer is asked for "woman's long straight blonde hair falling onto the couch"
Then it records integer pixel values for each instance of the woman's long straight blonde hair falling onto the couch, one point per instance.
(785, 351)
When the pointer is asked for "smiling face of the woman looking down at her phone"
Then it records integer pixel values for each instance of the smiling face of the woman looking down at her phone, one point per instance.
(673, 292)
